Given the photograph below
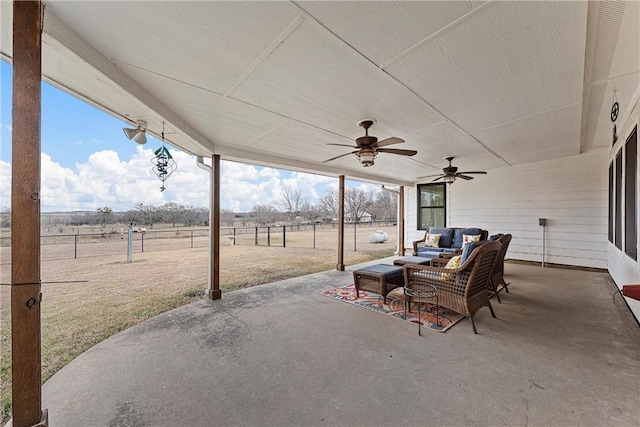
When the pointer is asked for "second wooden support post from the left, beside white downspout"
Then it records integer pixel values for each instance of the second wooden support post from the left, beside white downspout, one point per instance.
(215, 292)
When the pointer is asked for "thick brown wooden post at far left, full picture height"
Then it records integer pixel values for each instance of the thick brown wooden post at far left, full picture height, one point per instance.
(26, 369)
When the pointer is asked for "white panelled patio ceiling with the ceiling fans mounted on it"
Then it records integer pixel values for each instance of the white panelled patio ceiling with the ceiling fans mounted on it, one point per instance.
(493, 83)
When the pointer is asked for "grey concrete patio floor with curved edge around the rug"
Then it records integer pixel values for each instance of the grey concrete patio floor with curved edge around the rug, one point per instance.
(559, 353)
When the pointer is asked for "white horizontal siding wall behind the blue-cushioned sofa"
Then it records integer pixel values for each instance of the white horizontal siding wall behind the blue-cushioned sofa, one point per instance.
(571, 193)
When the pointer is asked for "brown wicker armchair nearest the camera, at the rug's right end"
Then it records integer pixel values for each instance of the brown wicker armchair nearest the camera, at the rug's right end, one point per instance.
(463, 289)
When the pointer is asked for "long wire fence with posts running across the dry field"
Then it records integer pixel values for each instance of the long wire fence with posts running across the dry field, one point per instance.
(95, 243)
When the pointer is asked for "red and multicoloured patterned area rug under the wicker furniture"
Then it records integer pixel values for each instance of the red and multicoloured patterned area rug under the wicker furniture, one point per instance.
(395, 307)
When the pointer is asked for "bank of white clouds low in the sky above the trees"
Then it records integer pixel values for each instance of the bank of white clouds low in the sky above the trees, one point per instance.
(105, 179)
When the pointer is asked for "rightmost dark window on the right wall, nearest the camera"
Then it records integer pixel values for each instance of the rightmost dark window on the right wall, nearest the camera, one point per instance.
(630, 171)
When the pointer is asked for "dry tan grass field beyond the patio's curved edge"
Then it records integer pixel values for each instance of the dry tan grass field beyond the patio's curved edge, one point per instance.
(109, 295)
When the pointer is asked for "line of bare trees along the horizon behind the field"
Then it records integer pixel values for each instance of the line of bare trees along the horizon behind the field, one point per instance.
(291, 208)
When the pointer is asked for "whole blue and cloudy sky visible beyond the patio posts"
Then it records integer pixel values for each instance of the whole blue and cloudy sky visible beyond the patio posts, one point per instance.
(87, 163)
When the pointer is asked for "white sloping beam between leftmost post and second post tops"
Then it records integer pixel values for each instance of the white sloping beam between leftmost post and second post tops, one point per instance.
(67, 38)
